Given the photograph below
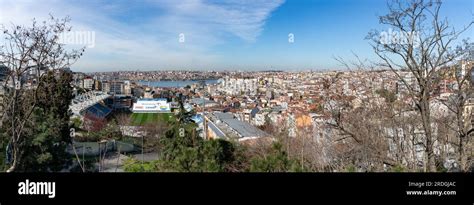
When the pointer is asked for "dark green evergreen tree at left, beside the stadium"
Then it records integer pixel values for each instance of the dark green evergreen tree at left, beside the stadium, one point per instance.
(48, 133)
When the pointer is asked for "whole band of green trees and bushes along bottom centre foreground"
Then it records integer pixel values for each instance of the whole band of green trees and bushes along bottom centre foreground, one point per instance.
(183, 151)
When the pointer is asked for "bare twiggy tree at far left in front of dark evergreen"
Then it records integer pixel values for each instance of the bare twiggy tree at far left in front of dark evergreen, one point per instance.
(28, 48)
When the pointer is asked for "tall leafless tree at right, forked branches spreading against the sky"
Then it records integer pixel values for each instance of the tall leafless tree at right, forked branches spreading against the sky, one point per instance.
(426, 56)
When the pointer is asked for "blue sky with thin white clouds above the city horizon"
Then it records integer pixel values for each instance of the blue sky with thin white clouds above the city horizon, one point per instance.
(220, 34)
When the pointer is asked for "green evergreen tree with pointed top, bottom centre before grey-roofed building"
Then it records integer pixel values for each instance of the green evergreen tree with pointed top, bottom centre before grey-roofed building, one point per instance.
(183, 151)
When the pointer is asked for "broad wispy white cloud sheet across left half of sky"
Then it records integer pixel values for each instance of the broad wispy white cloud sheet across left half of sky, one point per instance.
(151, 43)
